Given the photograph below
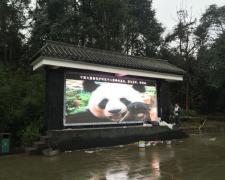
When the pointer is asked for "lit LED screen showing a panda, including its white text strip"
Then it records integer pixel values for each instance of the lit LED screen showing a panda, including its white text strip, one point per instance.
(100, 99)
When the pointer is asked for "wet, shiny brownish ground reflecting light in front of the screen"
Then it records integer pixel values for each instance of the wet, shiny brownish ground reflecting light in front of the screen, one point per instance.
(201, 156)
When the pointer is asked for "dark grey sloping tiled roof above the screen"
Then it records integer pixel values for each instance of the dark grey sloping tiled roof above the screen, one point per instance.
(102, 57)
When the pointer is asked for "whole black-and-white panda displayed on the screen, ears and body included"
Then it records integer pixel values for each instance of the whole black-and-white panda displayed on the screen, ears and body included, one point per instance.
(113, 102)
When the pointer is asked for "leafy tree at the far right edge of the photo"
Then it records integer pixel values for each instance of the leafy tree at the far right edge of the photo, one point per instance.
(211, 34)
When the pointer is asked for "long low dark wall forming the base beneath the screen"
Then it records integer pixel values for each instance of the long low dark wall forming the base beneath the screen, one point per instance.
(72, 139)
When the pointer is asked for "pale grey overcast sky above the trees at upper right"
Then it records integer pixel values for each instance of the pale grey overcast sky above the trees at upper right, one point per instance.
(166, 9)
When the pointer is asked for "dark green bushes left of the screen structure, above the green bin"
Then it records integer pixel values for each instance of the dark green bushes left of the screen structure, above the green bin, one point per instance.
(22, 99)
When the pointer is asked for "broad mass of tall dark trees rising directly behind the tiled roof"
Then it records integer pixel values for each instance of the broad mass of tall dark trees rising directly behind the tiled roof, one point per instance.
(127, 26)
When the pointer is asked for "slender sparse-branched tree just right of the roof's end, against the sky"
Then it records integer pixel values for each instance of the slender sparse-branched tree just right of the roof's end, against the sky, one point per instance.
(182, 44)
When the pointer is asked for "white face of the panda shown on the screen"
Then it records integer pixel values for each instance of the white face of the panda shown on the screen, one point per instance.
(111, 100)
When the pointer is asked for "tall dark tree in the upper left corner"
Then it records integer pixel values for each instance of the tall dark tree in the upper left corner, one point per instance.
(12, 22)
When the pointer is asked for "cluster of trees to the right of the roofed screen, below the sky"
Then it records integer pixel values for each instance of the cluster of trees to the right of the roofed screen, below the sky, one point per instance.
(200, 52)
